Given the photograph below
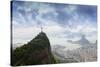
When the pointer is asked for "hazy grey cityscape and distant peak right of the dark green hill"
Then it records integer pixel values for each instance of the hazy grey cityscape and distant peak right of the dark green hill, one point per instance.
(87, 52)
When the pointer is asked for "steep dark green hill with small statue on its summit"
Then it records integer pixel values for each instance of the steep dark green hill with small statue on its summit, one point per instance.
(35, 52)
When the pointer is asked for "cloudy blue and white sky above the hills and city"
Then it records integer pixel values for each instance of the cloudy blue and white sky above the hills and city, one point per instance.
(61, 22)
